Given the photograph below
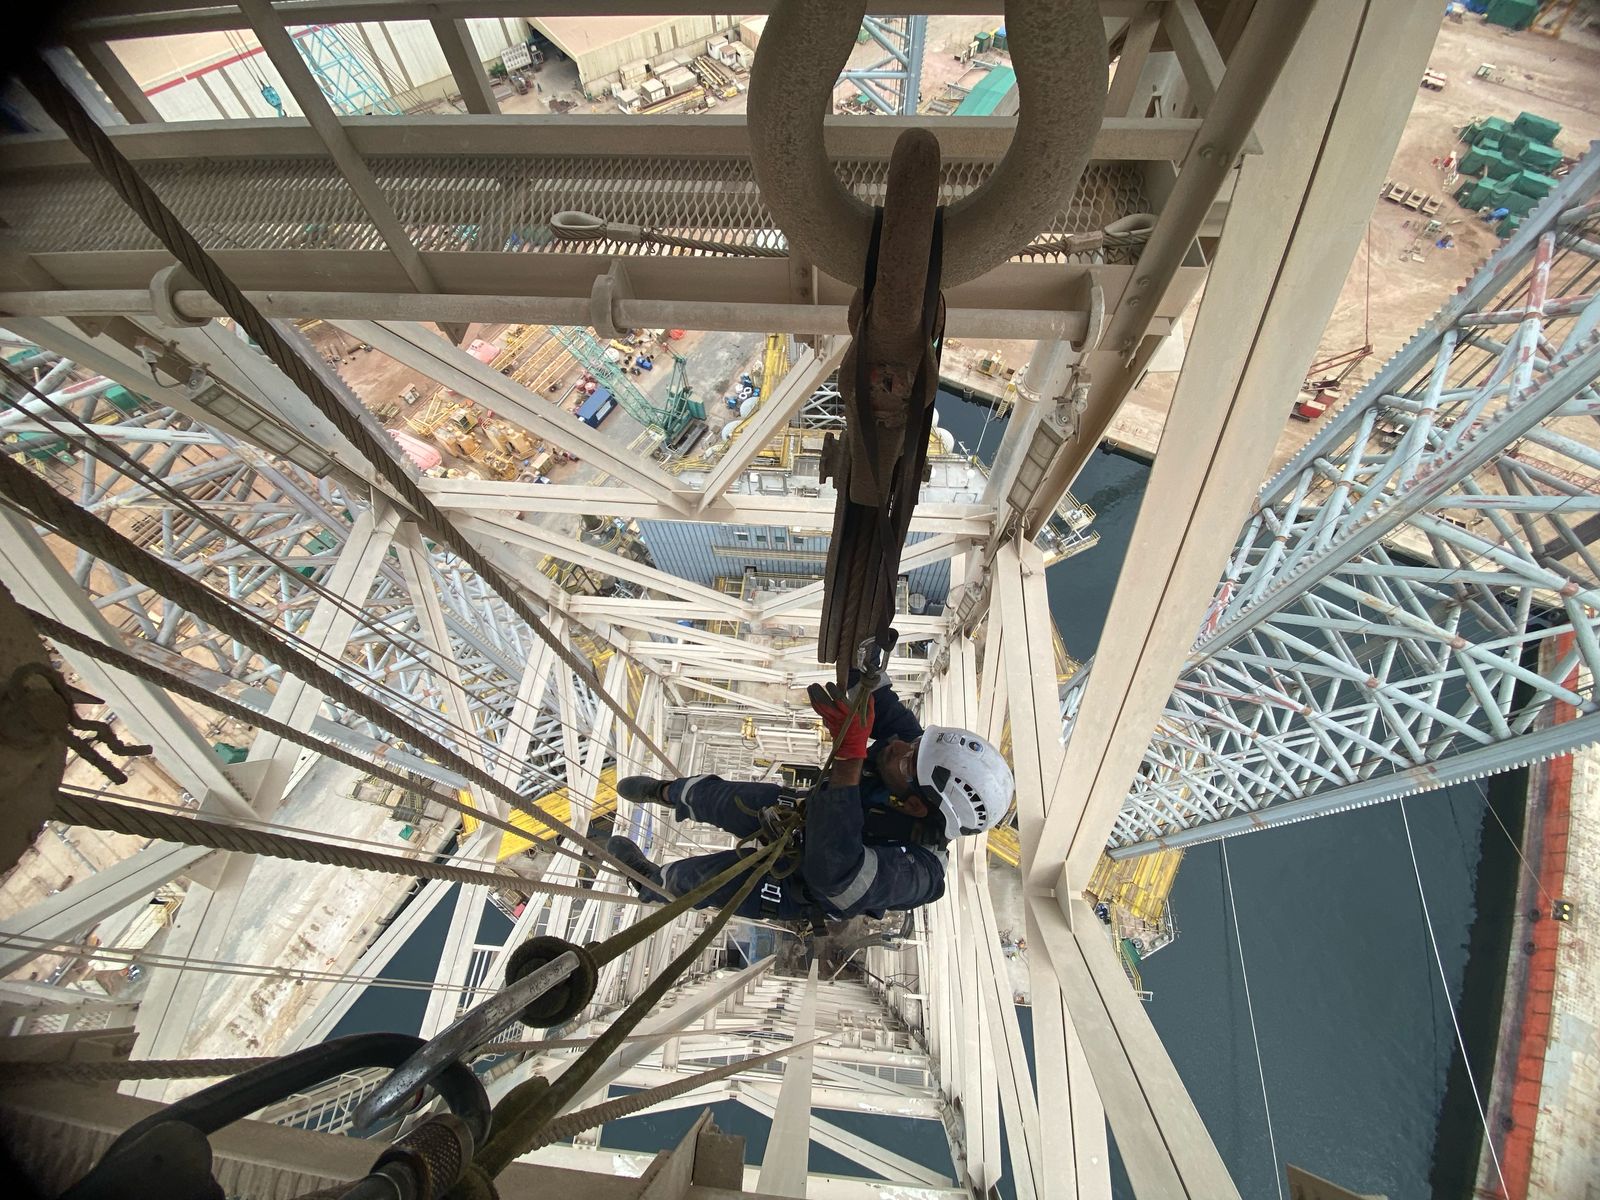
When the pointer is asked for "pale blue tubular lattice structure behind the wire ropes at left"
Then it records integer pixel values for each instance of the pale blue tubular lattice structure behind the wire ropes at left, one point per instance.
(282, 532)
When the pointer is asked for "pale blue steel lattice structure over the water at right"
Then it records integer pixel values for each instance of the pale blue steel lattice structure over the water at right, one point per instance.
(1418, 588)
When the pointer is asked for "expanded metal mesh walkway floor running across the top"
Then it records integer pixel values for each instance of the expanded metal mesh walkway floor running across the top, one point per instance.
(470, 204)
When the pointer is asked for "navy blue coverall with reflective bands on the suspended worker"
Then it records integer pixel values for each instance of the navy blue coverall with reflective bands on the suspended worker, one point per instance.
(858, 855)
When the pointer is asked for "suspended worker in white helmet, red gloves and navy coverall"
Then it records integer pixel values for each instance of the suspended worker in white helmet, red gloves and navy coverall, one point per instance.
(874, 838)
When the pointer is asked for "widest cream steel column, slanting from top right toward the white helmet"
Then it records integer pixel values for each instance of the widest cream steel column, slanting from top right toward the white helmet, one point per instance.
(1297, 218)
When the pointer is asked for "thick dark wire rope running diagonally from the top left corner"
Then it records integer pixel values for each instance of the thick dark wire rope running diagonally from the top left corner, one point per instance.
(118, 172)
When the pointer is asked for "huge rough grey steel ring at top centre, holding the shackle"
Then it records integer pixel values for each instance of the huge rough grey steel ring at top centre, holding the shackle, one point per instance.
(1058, 49)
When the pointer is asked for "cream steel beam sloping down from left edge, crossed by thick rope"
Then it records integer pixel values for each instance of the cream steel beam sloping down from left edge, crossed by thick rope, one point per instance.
(39, 582)
